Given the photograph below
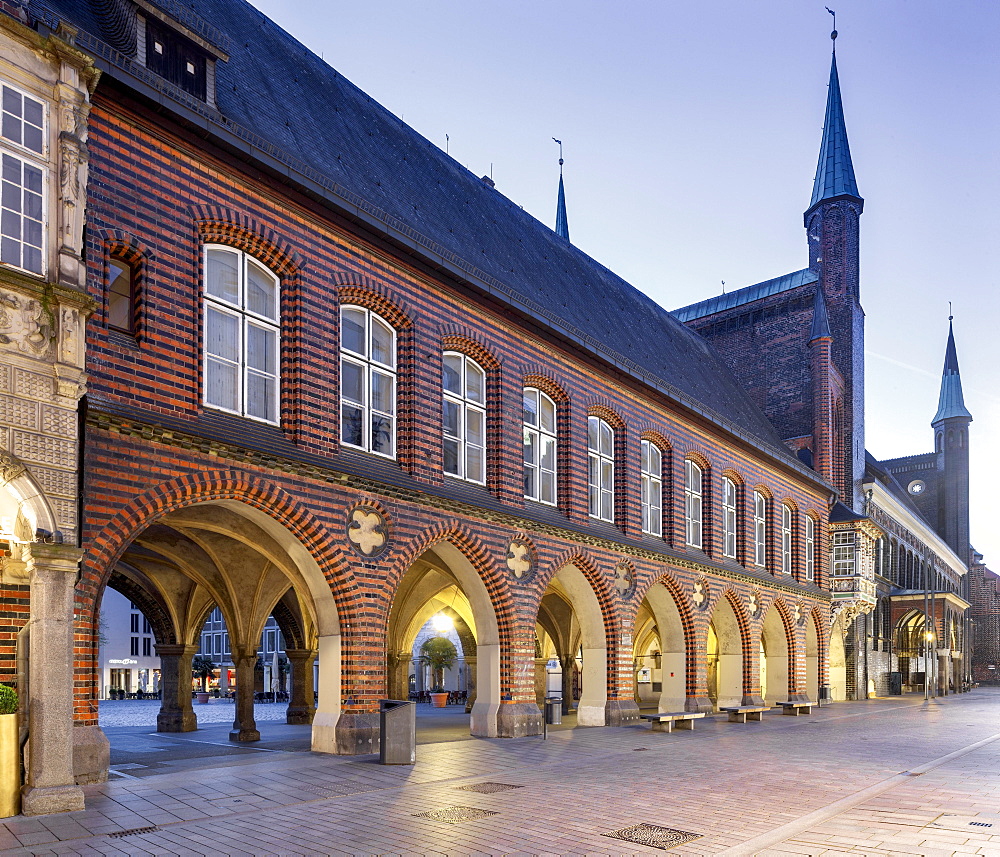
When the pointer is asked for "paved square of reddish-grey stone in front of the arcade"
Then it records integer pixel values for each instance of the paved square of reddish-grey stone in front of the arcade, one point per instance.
(881, 777)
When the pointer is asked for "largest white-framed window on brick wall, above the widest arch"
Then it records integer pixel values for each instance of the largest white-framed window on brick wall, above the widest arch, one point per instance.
(241, 334)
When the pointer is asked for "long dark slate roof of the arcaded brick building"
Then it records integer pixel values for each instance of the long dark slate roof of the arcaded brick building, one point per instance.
(289, 105)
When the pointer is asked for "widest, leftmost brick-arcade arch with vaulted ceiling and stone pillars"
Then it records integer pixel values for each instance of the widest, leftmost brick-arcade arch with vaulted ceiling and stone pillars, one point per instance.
(227, 555)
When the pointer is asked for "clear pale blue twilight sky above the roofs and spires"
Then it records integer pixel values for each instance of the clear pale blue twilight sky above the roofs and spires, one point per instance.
(691, 132)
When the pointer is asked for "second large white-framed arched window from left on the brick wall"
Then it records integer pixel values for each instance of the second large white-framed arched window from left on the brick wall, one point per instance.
(367, 381)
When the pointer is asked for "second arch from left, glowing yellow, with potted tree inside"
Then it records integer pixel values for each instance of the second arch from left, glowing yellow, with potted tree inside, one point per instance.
(441, 600)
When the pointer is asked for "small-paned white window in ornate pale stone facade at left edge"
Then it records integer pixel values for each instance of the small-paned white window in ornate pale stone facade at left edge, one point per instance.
(22, 180)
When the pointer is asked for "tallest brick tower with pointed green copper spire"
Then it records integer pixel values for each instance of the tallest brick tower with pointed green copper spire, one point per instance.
(832, 227)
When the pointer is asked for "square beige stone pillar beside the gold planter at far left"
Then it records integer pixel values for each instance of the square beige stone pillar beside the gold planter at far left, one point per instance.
(50, 784)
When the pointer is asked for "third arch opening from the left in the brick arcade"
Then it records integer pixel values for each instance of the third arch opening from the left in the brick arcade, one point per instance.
(570, 632)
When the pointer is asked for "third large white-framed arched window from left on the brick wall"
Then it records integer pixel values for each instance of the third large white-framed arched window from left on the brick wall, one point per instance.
(464, 417)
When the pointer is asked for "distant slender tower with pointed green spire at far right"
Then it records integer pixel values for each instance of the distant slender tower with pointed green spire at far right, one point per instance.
(951, 444)
